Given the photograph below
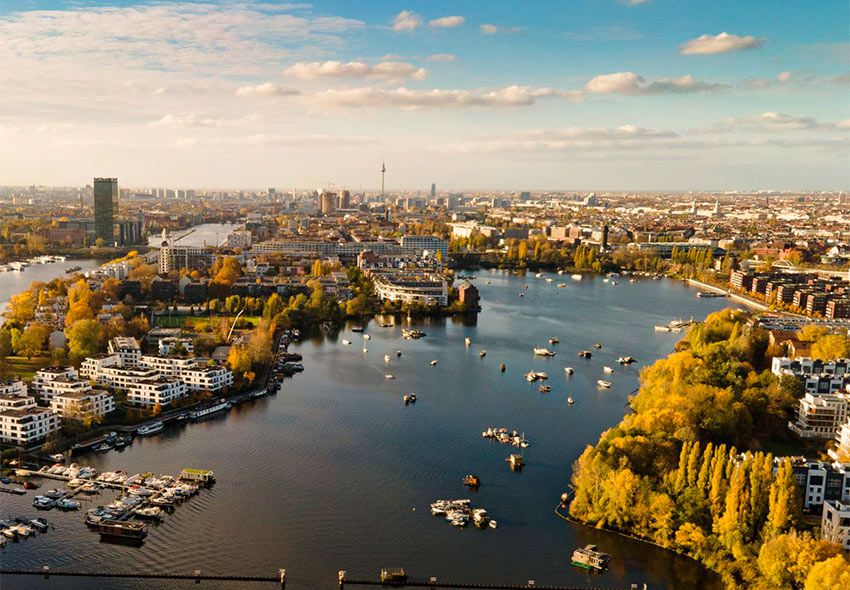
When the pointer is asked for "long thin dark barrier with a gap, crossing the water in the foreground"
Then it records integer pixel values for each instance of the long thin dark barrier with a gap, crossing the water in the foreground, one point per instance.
(46, 572)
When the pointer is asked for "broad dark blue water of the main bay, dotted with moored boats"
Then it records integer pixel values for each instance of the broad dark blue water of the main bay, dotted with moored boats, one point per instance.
(334, 472)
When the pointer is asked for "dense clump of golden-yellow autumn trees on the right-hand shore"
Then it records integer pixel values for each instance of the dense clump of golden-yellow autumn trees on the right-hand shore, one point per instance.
(671, 472)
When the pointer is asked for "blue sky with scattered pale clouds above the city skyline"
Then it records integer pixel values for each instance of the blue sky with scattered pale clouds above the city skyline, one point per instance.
(503, 95)
